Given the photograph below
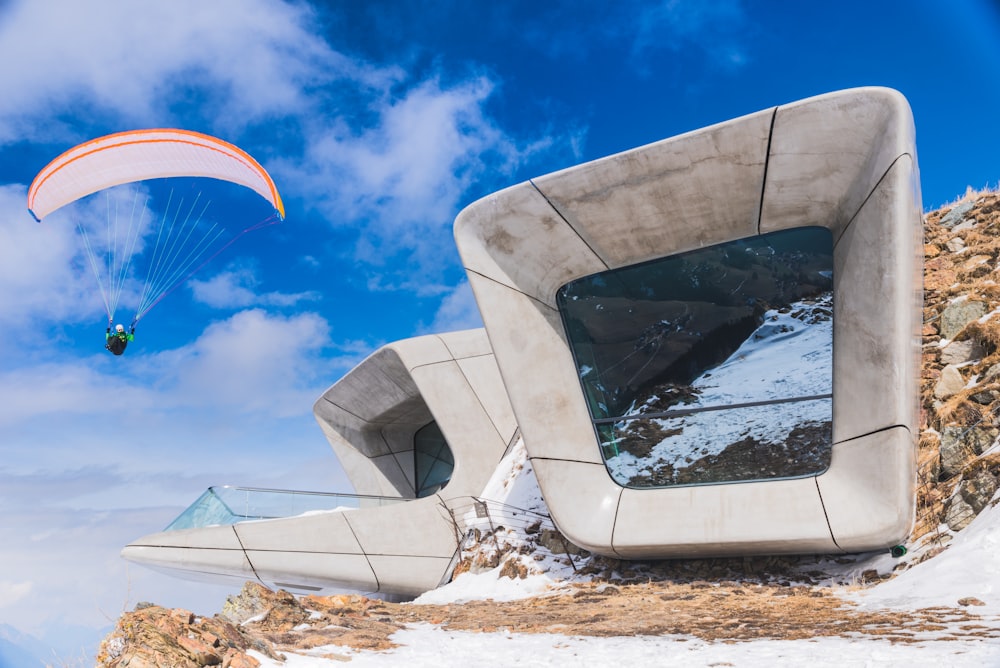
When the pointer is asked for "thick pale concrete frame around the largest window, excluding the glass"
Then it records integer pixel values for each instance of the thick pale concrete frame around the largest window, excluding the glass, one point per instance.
(845, 161)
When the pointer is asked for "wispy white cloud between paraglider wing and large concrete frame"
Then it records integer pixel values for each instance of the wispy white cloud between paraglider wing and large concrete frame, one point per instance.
(406, 173)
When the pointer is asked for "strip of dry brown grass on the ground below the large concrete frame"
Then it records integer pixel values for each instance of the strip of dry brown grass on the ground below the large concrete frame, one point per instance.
(727, 611)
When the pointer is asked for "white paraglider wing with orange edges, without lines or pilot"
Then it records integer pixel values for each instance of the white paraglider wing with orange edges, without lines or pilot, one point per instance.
(126, 157)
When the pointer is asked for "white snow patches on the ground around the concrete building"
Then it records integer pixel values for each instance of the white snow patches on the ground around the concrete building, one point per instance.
(969, 567)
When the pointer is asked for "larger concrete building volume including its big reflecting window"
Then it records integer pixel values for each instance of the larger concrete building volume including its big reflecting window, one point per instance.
(715, 199)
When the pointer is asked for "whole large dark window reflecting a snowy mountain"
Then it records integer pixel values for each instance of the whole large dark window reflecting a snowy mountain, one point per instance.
(710, 366)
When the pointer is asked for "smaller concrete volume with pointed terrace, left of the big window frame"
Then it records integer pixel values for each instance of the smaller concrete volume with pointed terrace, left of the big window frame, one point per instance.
(418, 425)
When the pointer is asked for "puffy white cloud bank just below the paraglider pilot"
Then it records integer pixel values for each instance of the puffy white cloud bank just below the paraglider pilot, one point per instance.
(252, 363)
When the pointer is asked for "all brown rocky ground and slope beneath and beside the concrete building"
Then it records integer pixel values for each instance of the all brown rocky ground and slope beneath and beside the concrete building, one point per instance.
(716, 599)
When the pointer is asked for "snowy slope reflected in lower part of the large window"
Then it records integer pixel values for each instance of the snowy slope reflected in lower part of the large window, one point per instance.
(788, 356)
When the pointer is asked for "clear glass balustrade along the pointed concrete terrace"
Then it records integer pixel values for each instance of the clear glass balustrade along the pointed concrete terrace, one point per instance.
(225, 505)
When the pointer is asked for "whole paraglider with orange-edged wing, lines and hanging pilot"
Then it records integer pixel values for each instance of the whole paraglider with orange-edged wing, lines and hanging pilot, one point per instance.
(142, 250)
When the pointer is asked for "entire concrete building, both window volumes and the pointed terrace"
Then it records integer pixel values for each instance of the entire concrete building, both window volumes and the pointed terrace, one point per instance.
(710, 346)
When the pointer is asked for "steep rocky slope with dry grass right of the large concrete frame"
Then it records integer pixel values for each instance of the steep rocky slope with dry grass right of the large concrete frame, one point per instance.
(960, 388)
